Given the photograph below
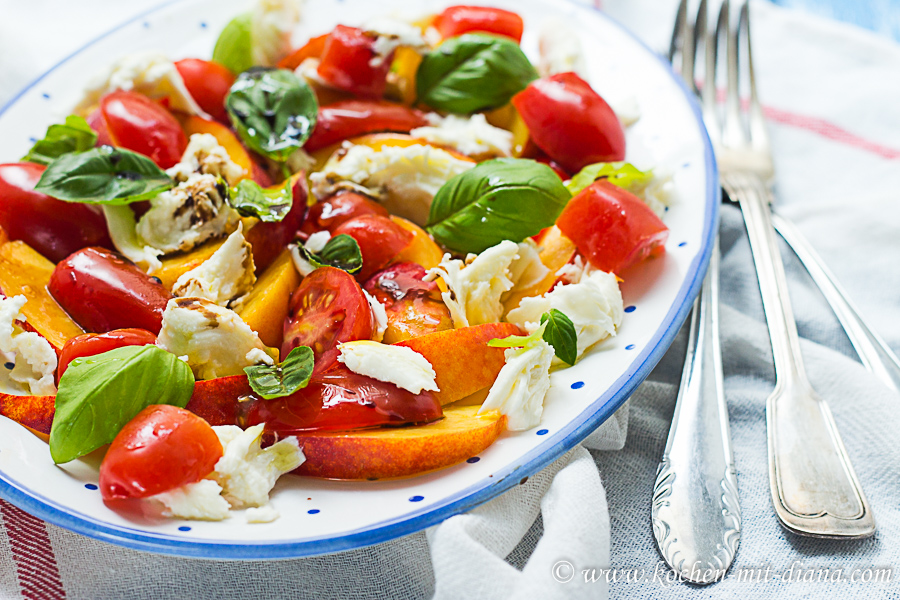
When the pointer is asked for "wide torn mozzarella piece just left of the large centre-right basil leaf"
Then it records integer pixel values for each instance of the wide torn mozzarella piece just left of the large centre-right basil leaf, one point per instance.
(404, 179)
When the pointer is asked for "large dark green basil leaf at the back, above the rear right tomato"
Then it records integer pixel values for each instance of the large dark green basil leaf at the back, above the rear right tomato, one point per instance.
(473, 72)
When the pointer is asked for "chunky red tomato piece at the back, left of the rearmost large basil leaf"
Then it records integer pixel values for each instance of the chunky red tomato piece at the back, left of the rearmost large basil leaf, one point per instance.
(347, 62)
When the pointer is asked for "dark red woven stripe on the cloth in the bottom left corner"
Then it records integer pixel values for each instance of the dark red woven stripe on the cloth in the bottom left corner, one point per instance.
(36, 565)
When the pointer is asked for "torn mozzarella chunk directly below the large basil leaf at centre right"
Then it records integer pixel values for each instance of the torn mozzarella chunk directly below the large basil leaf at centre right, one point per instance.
(475, 288)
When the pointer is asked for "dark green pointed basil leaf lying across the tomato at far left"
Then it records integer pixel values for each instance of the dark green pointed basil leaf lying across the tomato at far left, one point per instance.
(103, 175)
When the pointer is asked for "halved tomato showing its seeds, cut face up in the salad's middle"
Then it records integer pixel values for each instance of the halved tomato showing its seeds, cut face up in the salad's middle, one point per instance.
(327, 309)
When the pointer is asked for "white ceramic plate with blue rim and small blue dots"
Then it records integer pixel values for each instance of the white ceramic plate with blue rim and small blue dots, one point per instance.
(318, 516)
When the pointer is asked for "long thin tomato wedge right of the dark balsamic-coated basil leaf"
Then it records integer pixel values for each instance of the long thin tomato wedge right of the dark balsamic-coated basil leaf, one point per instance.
(343, 120)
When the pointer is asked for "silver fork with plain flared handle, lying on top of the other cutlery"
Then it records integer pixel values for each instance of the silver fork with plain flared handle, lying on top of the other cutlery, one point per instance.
(814, 487)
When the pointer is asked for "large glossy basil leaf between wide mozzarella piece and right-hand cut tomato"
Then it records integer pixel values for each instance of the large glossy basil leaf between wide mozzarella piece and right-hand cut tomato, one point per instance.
(500, 199)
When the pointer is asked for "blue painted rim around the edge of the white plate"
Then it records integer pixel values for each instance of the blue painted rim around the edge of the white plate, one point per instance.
(532, 462)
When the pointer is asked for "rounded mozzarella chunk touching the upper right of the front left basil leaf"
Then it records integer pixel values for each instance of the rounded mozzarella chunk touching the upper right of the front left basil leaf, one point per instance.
(215, 340)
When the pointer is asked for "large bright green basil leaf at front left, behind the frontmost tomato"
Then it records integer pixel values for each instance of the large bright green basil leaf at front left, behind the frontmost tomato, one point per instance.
(98, 395)
